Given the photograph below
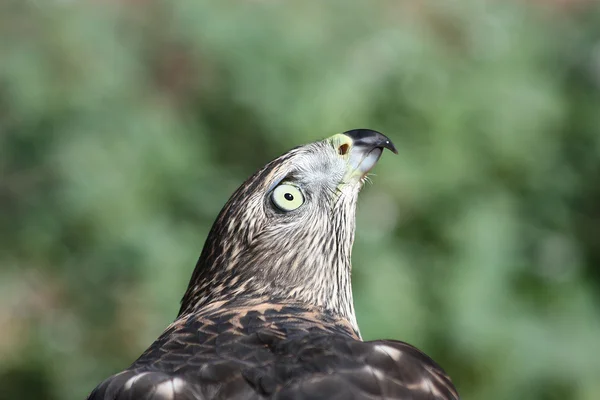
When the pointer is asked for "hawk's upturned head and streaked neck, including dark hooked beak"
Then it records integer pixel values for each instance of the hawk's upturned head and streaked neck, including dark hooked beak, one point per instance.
(287, 232)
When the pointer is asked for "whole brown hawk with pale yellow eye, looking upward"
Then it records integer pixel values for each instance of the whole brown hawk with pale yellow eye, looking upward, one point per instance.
(268, 313)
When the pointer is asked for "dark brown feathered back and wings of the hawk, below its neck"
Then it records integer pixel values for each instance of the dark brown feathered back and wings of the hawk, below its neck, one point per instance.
(220, 361)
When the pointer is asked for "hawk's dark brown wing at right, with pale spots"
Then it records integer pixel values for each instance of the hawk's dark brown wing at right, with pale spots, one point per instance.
(344, 368)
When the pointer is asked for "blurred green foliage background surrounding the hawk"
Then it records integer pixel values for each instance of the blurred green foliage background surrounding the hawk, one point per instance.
(125, 126)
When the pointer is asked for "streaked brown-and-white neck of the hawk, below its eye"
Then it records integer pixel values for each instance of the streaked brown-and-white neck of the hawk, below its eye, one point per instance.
(319, 276)
